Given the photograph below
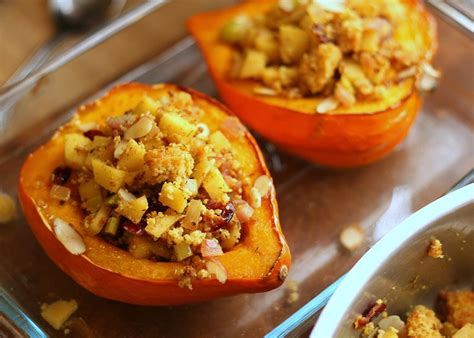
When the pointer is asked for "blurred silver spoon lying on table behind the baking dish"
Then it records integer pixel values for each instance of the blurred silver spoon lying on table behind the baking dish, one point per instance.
(69, 16)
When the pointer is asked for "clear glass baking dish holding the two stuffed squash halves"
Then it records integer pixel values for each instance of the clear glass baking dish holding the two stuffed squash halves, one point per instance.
(315, 203)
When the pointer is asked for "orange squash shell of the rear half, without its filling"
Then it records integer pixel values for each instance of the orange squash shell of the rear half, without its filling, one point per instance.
(342, 139)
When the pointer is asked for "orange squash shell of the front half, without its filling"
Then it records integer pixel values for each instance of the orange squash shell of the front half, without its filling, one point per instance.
(112, 273)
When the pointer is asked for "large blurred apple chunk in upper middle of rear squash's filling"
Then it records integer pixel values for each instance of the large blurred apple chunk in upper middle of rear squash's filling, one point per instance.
(294, 42)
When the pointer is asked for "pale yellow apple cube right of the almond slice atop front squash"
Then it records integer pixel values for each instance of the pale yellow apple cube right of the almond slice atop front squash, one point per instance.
(176, 128)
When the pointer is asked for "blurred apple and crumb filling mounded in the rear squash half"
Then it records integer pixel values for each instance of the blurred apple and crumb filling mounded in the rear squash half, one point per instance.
(345, 51)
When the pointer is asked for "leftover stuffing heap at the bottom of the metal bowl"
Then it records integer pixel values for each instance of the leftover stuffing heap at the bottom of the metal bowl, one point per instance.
(454, 318)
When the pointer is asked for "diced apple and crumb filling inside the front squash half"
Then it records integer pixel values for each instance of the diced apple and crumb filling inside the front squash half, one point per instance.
(156, 182)
